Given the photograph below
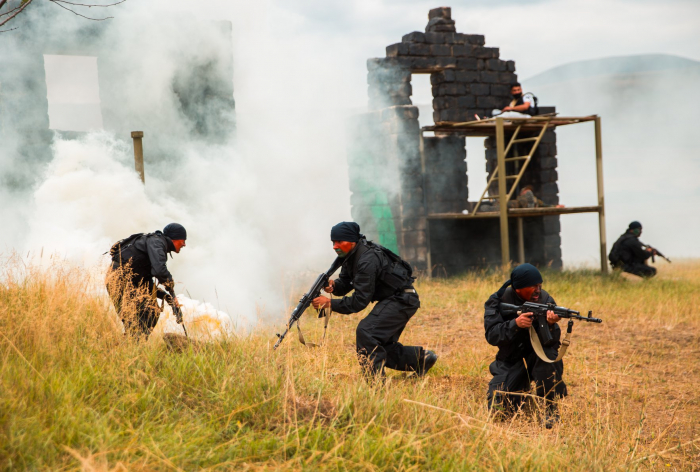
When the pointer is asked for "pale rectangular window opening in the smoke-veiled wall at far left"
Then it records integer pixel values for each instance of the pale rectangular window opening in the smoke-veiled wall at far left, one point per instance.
(73, 93)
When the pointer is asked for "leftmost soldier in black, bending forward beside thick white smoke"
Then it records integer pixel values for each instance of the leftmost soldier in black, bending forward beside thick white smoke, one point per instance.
(135, 261)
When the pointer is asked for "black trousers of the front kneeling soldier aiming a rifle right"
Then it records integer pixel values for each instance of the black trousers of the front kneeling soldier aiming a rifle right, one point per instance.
(516, 377)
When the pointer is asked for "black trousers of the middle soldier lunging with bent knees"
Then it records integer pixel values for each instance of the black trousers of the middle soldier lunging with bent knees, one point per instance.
(378, 335)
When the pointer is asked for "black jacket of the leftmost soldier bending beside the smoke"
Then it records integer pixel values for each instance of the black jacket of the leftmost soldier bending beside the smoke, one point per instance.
(148, 257)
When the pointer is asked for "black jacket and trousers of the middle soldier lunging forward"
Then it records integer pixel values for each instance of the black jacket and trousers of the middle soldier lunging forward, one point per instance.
(378, 334)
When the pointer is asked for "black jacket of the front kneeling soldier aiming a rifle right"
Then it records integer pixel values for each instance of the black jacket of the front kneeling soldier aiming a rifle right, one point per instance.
(513, 342)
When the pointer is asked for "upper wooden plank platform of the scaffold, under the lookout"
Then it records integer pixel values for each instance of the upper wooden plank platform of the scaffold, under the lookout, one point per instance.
(487, 127)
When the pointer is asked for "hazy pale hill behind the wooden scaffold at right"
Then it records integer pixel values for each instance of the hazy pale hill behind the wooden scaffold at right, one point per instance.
(647, 105)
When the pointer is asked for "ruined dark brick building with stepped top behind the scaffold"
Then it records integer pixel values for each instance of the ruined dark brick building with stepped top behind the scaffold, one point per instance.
(402, 181)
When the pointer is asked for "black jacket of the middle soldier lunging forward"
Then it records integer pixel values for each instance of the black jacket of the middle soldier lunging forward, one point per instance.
(361, 271)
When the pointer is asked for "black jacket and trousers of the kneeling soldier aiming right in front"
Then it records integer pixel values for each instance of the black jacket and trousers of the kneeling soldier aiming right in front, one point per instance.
(510, 373)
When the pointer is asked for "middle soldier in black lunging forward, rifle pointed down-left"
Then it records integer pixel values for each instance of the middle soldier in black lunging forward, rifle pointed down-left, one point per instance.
(376, 274)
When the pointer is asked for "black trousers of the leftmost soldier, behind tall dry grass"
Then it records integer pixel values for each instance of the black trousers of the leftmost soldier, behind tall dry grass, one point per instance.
(135, 303)
